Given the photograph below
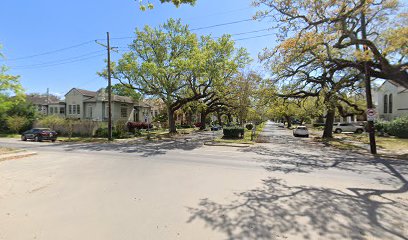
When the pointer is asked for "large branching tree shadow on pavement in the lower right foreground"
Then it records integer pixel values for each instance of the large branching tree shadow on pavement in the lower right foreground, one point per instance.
(279, 211)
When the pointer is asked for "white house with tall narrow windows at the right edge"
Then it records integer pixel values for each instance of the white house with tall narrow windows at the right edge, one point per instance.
(392, 101)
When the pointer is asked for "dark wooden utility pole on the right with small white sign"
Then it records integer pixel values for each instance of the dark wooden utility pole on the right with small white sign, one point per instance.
(367, 80)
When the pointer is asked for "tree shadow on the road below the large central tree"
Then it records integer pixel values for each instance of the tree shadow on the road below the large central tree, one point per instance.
(144, 147)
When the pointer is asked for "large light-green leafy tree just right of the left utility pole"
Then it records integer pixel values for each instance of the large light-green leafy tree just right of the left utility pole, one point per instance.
(171, 63)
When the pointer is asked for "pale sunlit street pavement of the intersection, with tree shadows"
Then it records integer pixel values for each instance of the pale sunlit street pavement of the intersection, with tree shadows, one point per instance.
(287, 188)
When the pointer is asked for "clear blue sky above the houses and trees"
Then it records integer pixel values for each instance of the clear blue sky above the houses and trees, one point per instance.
(36, 27)
